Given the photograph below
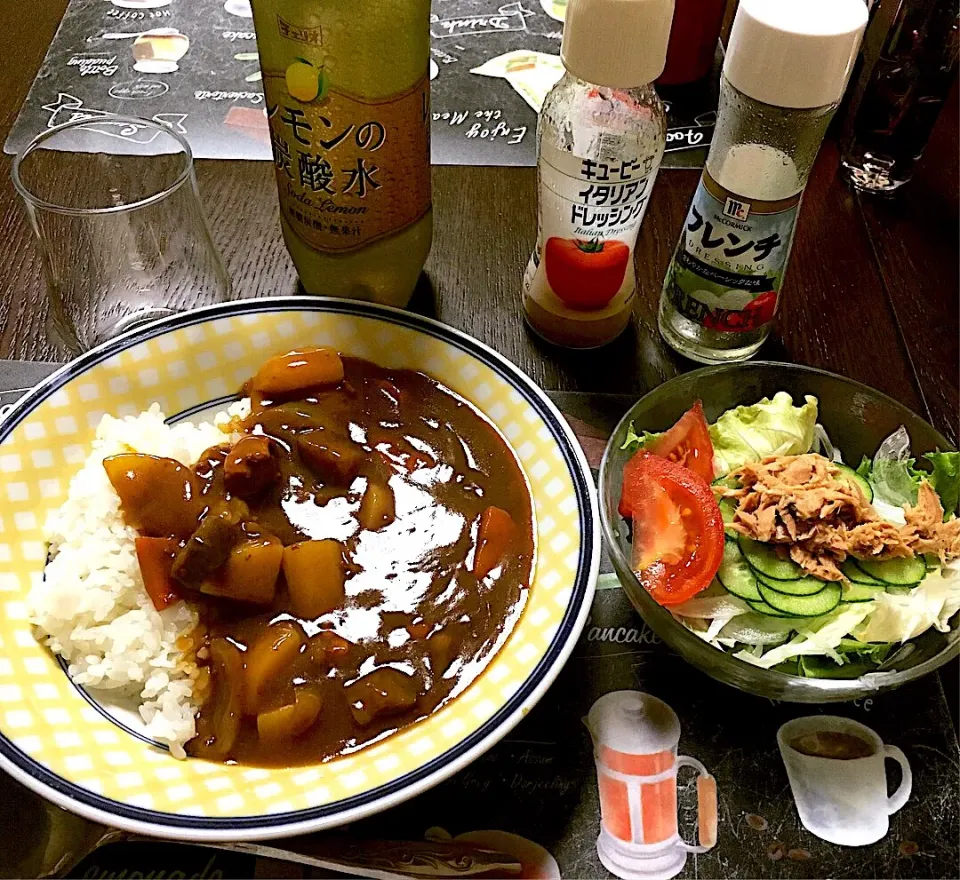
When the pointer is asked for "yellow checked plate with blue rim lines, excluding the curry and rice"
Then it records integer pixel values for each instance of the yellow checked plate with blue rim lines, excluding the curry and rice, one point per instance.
(60, 742)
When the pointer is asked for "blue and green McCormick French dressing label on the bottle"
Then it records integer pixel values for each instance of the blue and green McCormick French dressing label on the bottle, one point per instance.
(729, 265)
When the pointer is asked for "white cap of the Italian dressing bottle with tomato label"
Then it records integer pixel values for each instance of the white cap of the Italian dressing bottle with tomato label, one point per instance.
(616, 43)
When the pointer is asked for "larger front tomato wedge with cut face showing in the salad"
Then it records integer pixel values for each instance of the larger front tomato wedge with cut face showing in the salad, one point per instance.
(677, 527)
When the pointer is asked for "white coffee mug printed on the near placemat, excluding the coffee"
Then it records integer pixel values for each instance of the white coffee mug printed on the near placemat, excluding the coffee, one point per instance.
(843, 800)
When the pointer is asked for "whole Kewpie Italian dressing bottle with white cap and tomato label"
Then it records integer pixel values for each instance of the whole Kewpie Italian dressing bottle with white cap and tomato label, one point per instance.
(600, 139)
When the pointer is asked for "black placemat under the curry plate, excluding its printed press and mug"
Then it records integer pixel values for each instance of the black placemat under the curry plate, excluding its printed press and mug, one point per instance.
(535, 794)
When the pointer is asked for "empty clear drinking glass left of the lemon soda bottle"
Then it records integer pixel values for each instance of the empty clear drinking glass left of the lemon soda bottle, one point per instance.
(123, 241)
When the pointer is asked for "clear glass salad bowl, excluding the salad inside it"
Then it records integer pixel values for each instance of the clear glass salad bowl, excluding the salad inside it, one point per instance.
(857, 419)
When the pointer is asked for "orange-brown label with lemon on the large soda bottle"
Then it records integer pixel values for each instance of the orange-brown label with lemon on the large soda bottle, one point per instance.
(350, 169)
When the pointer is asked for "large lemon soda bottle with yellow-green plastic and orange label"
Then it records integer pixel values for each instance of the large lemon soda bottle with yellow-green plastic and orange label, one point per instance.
(347, 92)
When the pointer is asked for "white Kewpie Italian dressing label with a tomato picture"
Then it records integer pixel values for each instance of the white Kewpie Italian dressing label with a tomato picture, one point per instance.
(590, 214)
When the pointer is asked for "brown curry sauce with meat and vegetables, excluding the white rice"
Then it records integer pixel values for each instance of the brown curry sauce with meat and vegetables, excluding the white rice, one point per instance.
(357, 556)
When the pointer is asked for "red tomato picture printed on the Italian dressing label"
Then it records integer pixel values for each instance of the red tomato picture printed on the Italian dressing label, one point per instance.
(585, 274)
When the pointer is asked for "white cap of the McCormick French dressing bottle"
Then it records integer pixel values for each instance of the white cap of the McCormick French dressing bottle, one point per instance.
(794, 53)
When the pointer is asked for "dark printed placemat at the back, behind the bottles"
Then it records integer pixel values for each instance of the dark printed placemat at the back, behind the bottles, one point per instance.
(192, 65)
